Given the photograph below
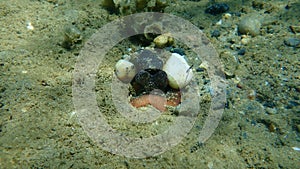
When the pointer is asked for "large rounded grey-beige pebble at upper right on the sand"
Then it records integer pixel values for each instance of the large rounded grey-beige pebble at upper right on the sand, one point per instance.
(249, 25)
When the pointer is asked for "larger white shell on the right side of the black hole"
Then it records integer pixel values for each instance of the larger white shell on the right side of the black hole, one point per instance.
(178, 71)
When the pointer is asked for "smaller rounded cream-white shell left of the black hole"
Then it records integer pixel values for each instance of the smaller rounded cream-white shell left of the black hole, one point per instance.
(125, 70)
